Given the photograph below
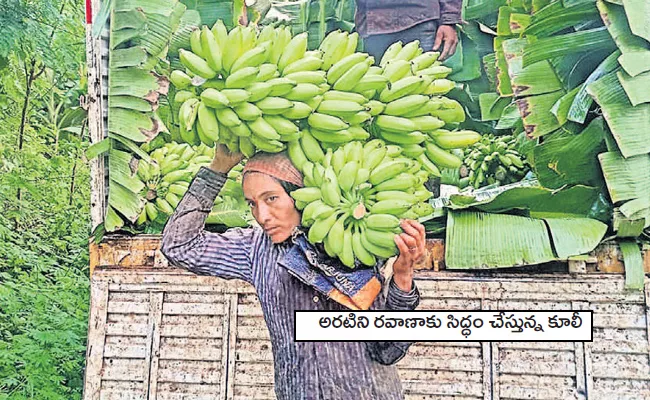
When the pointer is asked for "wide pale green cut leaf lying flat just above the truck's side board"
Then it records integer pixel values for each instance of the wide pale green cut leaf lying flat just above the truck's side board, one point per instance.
(478, 240)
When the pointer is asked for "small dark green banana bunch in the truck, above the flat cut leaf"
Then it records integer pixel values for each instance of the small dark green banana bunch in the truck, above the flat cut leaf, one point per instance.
(493, 160)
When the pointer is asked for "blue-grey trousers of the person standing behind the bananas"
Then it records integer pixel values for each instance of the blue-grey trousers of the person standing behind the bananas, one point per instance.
(425, 32)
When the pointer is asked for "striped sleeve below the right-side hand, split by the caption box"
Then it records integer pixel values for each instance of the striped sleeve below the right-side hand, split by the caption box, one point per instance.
(388, 353)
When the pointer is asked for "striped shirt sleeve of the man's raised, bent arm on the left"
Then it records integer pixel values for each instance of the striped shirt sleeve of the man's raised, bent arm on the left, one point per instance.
(187, 244)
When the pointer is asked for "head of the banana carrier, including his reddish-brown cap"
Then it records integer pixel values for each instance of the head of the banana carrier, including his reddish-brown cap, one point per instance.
(267, 180)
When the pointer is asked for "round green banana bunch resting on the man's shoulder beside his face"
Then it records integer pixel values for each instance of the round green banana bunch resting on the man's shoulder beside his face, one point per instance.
(355, 195)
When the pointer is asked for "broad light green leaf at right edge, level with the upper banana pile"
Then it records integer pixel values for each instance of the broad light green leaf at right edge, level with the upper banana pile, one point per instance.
(628, 124)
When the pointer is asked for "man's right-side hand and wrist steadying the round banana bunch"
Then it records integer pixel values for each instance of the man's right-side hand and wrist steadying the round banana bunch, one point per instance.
(412, 250)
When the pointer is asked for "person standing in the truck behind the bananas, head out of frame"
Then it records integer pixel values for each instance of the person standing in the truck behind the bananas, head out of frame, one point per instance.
(383, 22)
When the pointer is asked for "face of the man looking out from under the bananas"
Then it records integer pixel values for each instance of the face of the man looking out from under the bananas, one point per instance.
(271, 206)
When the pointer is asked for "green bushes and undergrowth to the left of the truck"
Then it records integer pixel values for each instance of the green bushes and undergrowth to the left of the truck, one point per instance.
(44, 200)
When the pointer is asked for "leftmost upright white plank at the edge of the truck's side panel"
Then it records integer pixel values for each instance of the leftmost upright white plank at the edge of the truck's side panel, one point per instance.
(96, 337)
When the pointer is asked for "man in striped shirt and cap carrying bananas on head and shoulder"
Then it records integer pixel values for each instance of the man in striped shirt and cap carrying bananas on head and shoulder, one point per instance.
(288, 274)
